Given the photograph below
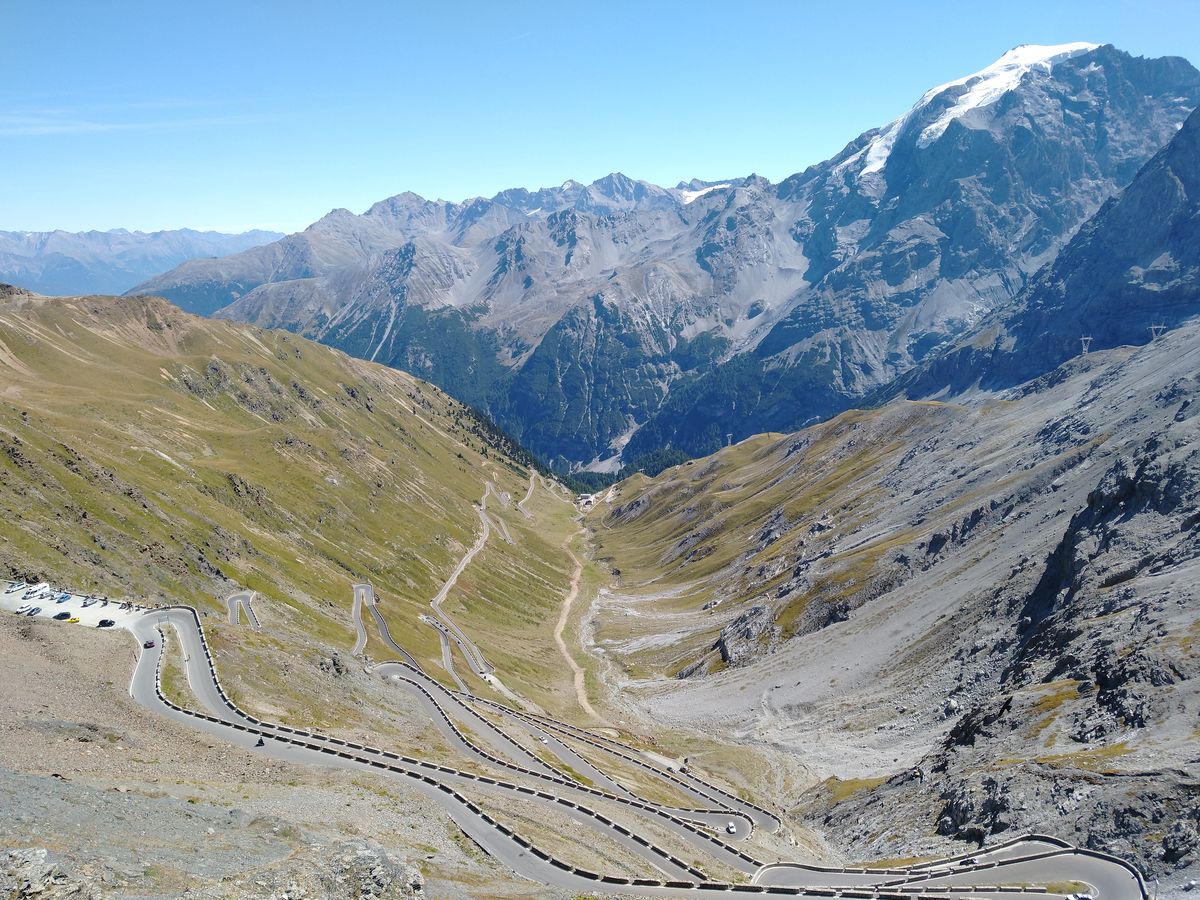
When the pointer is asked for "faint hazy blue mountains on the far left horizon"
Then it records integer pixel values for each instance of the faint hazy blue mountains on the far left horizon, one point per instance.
(70, 263)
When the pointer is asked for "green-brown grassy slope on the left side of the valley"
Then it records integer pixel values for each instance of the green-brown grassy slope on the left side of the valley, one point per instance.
(149, 454)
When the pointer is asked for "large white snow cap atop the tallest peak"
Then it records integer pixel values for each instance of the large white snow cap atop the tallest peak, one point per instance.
(986, 87)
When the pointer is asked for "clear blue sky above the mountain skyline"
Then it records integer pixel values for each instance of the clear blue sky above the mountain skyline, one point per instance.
(233, 116)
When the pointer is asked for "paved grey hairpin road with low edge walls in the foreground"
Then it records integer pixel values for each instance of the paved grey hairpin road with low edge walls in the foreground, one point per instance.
(1011, 871)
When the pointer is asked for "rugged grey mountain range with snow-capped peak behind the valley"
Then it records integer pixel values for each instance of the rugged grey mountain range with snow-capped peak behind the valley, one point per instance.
(620, 321)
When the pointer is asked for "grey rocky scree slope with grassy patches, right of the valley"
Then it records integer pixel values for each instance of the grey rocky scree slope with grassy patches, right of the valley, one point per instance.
(994, 597)
